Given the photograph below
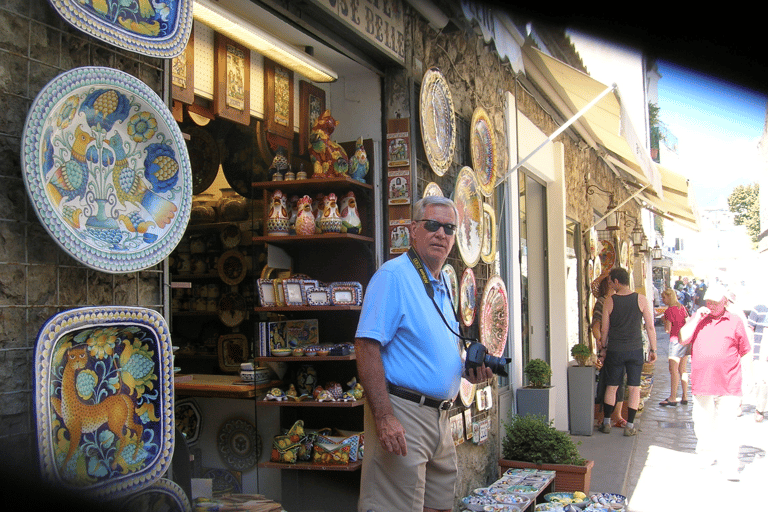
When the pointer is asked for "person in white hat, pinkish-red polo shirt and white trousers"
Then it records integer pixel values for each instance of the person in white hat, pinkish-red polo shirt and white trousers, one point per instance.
(718, 341)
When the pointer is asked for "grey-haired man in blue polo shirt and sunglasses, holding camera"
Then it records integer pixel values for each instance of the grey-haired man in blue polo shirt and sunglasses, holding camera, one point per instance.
(409, 362)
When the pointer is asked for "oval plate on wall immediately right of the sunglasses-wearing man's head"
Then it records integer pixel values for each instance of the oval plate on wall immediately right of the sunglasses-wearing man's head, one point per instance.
(469, 235)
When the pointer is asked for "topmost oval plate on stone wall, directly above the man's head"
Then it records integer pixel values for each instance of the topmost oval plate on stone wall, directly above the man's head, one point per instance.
(438, 125)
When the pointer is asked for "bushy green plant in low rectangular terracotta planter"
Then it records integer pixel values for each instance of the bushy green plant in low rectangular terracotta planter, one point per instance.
(531, 441)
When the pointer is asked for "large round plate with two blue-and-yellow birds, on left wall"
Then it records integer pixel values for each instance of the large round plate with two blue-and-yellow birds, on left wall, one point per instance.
(107, 169)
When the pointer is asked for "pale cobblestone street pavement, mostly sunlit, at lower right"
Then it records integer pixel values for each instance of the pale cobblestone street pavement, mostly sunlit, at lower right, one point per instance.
(663, 475)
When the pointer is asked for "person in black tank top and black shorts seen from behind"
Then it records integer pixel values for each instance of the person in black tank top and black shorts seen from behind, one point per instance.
(622, 345)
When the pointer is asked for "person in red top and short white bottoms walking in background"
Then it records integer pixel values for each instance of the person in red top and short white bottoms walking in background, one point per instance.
(674, 318)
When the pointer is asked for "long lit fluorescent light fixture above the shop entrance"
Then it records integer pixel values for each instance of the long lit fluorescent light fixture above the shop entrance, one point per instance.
(245, 33)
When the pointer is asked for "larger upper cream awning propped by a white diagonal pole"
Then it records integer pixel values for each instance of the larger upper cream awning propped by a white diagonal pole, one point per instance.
(605, 126)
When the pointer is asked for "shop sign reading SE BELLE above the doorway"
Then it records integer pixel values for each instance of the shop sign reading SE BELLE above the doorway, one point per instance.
(379, 21)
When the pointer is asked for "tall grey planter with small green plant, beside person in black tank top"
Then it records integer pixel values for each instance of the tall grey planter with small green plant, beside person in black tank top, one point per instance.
(581, 392)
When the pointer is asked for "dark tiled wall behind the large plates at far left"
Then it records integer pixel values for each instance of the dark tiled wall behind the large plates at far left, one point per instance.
(37, 279)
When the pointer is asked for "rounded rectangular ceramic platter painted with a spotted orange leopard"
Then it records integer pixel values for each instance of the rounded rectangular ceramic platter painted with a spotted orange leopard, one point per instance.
(104, 399)
